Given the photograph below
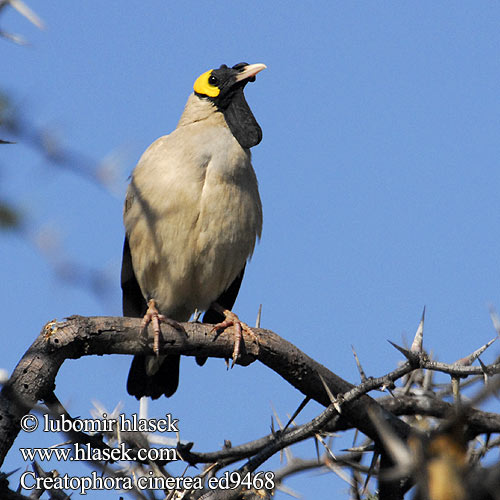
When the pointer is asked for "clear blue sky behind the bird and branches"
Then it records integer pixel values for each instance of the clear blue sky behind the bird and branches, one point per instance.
(378, 173)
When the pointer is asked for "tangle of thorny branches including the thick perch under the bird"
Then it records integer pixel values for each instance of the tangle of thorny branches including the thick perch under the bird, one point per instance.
(347, 407)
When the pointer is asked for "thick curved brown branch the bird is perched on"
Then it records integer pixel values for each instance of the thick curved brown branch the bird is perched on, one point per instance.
(34, 377)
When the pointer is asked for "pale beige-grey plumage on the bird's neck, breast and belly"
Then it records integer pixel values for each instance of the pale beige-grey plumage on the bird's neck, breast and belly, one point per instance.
(192, 213)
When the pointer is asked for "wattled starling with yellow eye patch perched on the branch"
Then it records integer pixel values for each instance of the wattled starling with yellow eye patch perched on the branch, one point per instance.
(192, 217)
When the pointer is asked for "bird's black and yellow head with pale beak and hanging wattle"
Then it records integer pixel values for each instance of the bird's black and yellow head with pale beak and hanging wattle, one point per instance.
(224, 88)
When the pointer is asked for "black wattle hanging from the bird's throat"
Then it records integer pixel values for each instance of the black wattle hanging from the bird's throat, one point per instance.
(241, 121)
